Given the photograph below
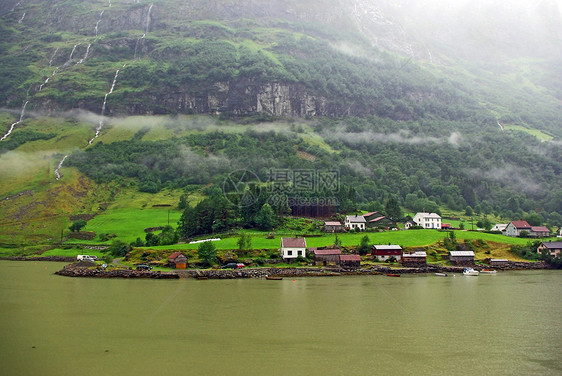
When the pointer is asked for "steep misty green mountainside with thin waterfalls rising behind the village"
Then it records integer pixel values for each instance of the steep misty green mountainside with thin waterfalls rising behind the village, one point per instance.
(109, 108)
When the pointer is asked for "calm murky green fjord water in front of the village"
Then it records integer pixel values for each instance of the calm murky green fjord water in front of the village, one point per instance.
(504, 324)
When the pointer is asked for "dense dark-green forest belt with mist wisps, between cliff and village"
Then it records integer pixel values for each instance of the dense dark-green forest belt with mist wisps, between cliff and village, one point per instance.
(421, 172)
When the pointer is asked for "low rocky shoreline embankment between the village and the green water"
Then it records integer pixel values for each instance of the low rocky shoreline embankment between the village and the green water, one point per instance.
(85, 269)
